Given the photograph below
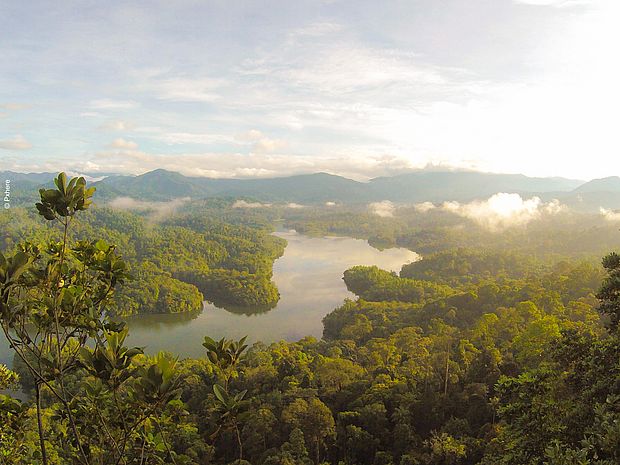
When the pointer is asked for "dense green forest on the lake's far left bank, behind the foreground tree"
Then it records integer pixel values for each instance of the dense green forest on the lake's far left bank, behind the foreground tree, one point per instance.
(175, 264)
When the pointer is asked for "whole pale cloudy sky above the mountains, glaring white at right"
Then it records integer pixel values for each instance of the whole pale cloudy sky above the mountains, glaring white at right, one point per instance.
(270, 88)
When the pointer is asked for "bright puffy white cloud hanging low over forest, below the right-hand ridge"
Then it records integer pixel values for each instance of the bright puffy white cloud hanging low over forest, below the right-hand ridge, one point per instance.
(504, 210)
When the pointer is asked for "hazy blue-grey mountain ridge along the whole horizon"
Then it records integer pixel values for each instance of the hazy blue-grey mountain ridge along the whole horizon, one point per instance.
(413, 187)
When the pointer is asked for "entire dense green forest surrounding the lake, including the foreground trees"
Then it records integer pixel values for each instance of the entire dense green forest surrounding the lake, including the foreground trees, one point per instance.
(507, 354)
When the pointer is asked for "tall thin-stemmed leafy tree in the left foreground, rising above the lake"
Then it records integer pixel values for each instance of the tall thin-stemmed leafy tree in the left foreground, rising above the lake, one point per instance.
(53, 296)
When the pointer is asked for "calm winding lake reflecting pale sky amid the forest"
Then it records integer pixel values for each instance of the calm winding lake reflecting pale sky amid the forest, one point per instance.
(309, 278)
